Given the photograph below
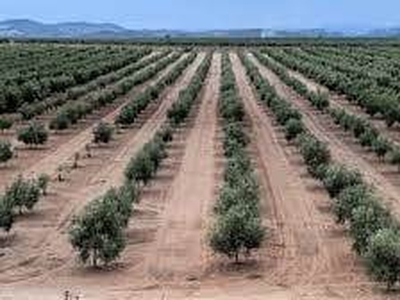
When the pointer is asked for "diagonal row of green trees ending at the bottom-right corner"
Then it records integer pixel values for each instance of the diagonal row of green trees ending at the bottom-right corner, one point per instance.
(374, 231)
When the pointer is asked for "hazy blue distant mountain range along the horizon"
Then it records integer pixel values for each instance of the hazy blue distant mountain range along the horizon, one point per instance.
(32, 29)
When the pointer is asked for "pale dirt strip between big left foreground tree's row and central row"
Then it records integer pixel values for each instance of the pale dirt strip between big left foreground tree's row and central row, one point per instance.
(179, 250)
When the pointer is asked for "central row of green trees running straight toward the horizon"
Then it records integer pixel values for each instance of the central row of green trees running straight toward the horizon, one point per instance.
(237, 229)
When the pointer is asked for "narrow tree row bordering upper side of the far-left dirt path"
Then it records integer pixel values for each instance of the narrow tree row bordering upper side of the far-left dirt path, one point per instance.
(71, 113)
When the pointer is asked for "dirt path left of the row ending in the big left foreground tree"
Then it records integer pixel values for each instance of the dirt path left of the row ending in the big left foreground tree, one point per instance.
(40, 253)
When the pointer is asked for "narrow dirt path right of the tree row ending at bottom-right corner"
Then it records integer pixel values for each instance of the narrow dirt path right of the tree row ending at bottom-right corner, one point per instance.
(342, 151)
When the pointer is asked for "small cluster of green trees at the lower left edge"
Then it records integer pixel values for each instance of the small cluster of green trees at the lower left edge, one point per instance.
(22, 195)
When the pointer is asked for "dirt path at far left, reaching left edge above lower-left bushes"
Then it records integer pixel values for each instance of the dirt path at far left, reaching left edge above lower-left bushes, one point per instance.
(62, 147)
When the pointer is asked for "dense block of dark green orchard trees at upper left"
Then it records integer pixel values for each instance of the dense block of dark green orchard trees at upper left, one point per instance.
(33, 88)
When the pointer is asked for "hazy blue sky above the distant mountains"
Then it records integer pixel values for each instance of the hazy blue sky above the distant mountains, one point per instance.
(204, 14)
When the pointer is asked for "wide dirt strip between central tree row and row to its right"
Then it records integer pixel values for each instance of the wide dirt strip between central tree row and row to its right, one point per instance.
(307, 251)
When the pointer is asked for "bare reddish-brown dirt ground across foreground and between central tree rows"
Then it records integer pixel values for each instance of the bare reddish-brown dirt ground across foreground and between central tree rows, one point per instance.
(306, 256)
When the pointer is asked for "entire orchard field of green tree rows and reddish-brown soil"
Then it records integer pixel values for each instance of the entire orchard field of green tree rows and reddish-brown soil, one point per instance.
(175, 152)
